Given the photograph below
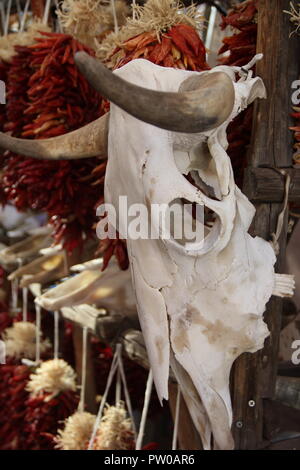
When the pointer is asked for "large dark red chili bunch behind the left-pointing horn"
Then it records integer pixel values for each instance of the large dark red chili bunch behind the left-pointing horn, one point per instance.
(58, 100)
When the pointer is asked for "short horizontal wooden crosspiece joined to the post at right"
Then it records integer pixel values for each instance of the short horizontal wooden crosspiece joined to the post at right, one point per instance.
(268, 185)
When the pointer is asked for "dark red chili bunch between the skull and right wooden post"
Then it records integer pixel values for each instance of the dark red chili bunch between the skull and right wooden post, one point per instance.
(240, 49)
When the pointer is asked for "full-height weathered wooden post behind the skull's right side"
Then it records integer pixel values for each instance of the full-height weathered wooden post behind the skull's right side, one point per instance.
(254, 376)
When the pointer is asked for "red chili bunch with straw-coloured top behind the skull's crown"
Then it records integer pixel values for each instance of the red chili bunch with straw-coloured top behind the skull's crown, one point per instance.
(162, 35)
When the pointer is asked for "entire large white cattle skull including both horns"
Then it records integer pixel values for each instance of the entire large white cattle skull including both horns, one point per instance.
(200, 307)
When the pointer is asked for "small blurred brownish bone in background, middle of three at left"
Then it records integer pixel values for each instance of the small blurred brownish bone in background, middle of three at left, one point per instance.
(45, 269)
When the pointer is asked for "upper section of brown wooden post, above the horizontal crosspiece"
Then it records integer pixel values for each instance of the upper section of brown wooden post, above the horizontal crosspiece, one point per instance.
(272, 143)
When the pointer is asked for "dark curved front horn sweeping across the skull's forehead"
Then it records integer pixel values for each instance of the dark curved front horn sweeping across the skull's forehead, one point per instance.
(204, 107)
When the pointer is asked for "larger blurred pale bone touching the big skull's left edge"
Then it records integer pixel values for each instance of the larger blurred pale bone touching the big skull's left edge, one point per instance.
(111, 290)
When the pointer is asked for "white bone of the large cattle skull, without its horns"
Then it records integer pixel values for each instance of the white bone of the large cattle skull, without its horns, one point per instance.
(205, 303)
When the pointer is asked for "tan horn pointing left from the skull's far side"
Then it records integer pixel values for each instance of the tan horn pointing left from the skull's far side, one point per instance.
(88, 141)
